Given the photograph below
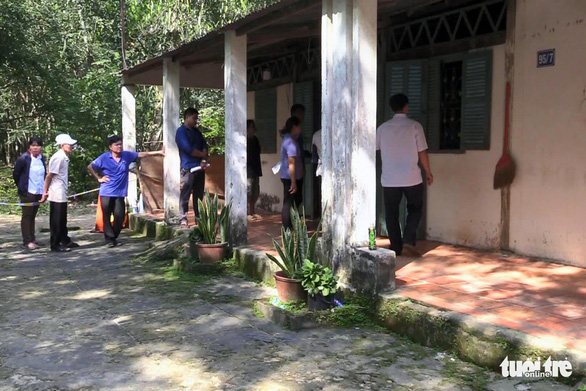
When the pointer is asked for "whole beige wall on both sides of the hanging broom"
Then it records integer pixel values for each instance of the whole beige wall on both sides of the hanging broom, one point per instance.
(548, 143)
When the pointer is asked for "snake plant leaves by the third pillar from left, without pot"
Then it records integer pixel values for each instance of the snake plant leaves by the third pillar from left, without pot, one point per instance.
(208, 221)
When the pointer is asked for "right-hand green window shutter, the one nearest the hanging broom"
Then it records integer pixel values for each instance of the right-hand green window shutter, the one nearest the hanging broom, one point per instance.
(476, 97)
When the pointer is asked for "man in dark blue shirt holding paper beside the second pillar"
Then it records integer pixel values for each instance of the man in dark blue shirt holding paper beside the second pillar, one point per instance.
(193, 152)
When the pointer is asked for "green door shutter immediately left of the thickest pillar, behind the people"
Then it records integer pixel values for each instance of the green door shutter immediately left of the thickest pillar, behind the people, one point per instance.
(303, 94)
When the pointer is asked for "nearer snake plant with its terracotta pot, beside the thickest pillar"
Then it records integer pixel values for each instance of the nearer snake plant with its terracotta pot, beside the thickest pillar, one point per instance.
(296, 245)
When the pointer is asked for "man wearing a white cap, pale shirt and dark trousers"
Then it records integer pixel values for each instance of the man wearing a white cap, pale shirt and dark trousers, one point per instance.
(56, 184)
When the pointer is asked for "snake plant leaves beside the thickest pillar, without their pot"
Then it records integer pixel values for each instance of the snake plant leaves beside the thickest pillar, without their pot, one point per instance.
(296, 245)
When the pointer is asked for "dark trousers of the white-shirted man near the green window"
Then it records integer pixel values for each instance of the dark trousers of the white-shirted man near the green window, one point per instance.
(414, 196)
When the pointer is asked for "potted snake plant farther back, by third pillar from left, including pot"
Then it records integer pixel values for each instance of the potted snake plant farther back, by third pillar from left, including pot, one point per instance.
(209, 222)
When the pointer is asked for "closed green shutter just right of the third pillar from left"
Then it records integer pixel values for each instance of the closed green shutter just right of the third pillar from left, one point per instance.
(265, 115)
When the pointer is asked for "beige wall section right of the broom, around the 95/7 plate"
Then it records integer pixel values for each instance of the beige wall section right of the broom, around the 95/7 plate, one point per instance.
(548, 217)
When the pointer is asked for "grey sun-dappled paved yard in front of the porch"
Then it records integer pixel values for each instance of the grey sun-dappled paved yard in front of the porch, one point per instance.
(95, 320)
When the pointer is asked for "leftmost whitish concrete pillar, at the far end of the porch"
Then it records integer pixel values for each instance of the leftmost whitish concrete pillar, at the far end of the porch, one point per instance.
(129, 138)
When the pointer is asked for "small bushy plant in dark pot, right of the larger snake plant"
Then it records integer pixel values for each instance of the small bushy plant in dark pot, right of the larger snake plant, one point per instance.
(321, 285)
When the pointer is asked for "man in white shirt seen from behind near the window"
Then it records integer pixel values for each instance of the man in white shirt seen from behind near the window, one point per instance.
(402, 145)
